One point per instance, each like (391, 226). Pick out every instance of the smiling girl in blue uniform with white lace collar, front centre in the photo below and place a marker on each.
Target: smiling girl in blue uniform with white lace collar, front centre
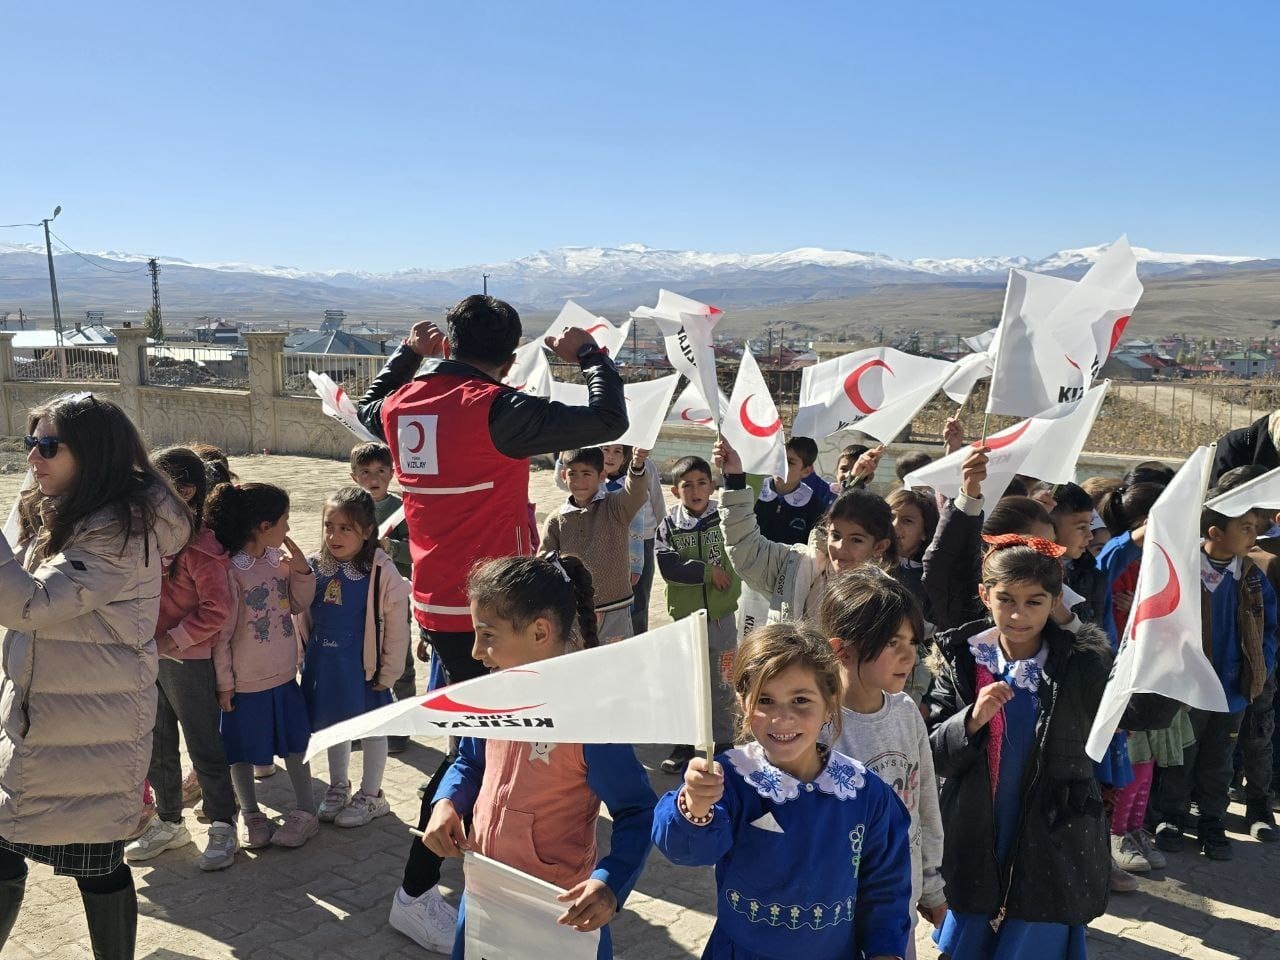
(812, 851)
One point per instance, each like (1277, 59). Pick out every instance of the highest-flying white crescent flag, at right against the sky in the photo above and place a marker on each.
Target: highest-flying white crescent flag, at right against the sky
(1055, 333)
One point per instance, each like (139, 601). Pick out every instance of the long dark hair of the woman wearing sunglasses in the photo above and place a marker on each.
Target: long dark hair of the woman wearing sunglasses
(115, 473)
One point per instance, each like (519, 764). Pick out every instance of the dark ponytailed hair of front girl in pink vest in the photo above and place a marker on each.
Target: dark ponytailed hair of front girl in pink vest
(523, 589)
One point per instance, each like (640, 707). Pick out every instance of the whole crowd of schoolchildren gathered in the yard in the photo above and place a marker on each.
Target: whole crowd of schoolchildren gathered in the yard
(904, 739)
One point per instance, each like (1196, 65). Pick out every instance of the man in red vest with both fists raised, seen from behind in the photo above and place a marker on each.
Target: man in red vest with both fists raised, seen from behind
(461, 444)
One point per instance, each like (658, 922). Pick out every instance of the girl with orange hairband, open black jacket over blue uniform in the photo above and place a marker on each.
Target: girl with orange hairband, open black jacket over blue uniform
(1026, 852)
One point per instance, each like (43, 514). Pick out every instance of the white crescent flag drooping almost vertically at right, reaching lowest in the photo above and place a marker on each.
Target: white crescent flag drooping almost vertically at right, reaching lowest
(1162, 651)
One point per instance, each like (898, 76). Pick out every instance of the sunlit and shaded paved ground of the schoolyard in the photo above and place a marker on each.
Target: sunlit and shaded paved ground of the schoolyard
(331, 898)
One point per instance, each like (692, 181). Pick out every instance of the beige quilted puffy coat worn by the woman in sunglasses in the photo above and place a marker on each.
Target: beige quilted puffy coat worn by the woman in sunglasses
(79, 700)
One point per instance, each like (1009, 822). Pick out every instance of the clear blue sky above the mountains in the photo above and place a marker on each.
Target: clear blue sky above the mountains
(391, 135)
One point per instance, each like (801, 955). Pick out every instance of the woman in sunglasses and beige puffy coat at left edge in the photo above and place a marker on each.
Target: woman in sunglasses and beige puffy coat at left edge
(80, 595)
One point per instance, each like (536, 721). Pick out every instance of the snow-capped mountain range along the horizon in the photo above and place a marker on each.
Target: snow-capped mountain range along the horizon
(604, 277)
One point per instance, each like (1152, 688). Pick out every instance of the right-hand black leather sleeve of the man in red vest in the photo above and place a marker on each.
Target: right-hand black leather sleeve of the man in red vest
(527, 427)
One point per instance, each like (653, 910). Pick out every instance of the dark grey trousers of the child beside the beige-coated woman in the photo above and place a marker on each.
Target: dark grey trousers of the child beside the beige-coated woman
(188, 694)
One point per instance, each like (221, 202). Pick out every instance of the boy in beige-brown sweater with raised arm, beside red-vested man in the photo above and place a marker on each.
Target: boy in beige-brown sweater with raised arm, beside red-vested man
(596, 525)
